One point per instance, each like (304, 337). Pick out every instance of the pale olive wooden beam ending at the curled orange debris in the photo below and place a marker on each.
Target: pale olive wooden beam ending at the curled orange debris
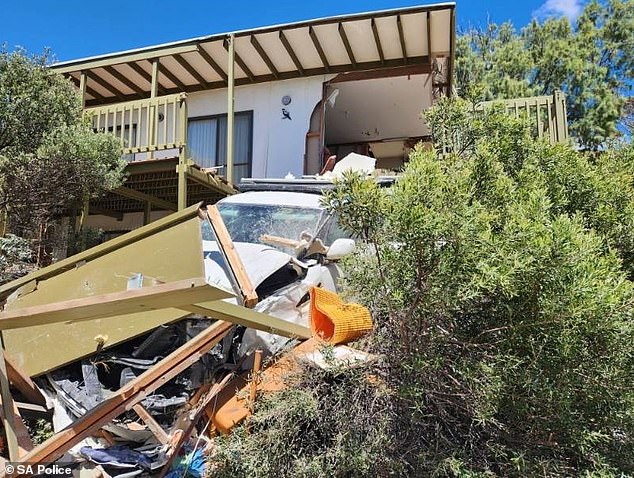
(236, 314)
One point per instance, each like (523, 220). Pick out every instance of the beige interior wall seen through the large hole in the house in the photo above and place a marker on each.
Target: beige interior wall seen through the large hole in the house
(377, 109)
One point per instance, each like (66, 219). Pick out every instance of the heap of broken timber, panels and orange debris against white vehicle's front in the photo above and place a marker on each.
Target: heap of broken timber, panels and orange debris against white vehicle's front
(141, 350)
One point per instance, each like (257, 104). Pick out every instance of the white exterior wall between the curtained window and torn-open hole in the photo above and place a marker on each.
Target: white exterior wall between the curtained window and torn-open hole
(278, 144)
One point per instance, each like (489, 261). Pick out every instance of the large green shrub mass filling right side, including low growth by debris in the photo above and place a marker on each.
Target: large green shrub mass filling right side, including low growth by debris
(498, 278)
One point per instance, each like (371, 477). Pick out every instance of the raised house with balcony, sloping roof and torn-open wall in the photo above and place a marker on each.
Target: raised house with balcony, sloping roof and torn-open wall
(290, 95)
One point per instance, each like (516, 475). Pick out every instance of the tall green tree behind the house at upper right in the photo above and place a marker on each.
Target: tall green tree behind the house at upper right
(593, 64)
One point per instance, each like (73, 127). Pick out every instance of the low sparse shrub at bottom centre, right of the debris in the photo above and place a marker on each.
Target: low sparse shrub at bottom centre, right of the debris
(308, 430)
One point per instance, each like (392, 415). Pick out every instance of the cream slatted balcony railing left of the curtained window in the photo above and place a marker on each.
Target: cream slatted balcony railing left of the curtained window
(145, 126)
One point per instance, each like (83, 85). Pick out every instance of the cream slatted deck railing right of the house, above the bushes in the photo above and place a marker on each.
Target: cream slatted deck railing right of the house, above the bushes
(546, 113)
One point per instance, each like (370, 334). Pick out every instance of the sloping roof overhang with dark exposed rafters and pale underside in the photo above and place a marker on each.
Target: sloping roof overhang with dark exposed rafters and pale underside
(369, 41)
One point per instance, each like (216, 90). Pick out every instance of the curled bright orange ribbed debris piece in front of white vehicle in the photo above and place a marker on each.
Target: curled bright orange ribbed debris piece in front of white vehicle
(335, 321)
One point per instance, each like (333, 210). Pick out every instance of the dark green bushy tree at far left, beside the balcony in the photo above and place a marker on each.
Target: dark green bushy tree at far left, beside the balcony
(51, 161)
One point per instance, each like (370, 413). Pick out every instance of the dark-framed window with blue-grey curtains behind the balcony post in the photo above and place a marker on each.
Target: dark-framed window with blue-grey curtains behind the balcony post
(207, 142)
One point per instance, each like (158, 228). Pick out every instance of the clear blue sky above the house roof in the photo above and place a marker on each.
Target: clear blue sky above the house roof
(76, 29)
